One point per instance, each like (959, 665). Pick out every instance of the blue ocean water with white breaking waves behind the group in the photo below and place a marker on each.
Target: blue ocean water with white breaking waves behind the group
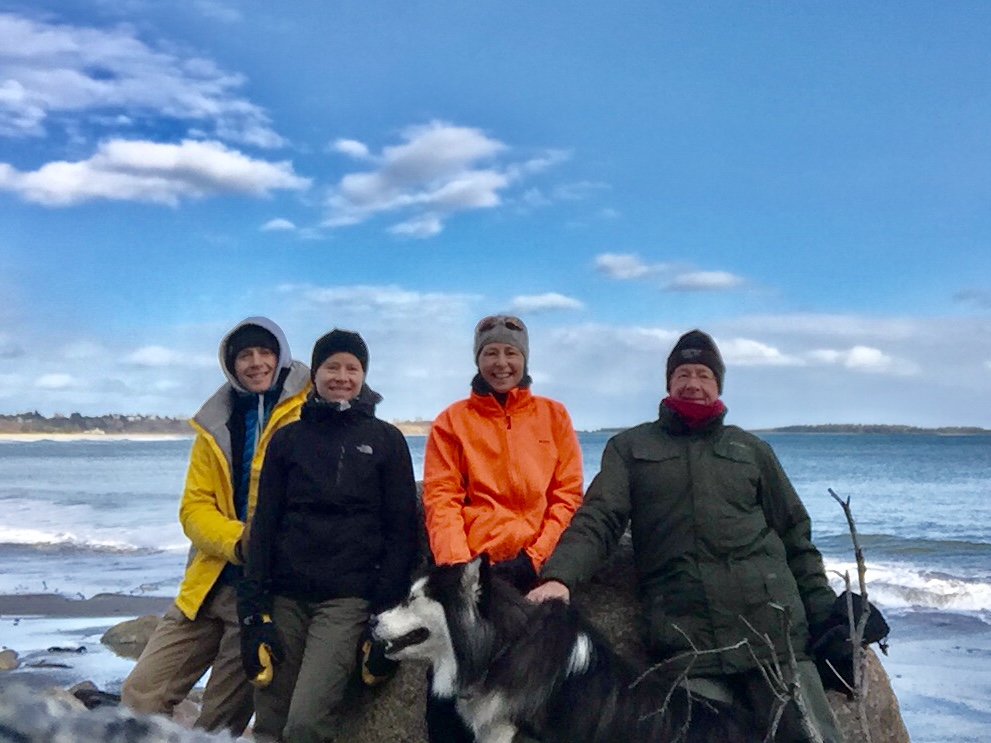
(81, 517)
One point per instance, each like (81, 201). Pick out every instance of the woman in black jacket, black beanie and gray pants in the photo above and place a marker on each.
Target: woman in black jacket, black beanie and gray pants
(333, 539)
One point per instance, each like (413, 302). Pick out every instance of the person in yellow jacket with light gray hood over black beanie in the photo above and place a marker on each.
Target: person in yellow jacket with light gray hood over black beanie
(265, 390)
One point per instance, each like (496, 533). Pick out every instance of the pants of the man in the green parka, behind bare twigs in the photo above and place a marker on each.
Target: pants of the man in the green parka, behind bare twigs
(752, 691)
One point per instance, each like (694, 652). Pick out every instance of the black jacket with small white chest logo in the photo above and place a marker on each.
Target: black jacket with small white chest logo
(336, 512)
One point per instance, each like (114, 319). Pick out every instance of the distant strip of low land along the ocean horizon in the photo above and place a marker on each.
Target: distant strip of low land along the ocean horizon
(119, 424)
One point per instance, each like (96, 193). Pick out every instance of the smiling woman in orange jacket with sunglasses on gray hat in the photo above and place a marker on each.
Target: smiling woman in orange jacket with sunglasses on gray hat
(502, 475)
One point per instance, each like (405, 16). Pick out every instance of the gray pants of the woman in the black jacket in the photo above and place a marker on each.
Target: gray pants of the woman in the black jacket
(321, 646)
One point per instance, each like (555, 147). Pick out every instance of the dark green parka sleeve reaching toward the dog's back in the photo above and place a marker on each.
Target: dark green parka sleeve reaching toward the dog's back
(597, 525)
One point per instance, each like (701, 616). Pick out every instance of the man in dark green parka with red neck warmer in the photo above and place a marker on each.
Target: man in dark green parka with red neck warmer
(721, 542)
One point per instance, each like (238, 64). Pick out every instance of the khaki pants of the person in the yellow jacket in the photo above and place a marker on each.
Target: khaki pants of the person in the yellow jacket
(178, 654)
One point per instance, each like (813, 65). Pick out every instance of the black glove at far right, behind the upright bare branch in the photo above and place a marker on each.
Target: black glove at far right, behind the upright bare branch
(831, 647)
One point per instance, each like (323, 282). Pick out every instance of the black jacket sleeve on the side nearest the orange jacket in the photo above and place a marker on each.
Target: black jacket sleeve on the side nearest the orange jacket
(399, 525)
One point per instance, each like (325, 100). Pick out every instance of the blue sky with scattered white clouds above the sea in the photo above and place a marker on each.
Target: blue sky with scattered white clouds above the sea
(809, 182)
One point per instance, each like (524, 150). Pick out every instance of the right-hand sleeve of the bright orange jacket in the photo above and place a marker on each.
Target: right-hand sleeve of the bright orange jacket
(564, 494)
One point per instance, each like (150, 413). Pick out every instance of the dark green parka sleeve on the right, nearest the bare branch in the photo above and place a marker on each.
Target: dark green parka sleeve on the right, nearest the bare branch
(786, 514)
